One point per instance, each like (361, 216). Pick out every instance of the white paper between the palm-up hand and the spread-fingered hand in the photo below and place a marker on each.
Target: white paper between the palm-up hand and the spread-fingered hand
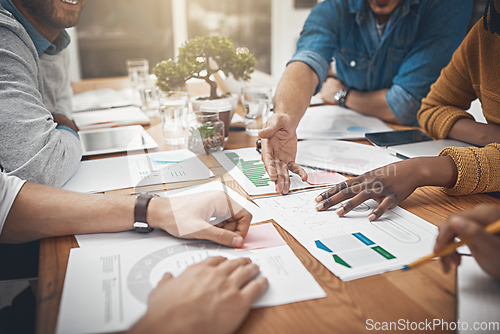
(342, 156)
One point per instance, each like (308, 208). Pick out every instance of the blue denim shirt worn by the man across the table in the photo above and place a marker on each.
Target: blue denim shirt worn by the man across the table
(419, 40)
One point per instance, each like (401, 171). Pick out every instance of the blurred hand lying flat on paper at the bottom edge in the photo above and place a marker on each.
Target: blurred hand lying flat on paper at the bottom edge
(213, 296)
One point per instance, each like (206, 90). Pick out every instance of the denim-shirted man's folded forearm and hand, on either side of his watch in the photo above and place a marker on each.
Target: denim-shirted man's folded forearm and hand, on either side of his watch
(368, 103)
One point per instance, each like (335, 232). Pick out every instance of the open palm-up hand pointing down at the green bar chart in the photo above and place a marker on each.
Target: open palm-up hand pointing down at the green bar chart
(279, 148)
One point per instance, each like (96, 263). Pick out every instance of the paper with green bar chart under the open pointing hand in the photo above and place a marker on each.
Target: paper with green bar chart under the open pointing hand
(247, 168)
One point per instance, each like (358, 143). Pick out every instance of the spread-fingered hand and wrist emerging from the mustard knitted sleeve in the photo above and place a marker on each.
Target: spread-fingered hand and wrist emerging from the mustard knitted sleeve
(389, 185)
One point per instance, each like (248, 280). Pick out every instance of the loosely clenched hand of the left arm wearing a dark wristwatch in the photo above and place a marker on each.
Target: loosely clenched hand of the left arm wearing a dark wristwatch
(190, 217)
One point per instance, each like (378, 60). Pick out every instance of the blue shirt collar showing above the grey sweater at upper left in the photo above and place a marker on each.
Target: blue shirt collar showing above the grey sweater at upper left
(41, 43)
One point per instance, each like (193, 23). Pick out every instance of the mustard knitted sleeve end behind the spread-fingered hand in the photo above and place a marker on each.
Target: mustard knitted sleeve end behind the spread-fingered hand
(478, 169)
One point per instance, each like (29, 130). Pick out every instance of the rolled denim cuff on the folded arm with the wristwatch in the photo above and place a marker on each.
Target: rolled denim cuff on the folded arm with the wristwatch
(403, 105)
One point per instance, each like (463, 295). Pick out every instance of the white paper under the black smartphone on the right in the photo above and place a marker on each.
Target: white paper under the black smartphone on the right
(425, 148)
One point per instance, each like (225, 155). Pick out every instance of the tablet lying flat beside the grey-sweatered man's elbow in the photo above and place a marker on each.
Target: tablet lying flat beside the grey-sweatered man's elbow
(112, 140)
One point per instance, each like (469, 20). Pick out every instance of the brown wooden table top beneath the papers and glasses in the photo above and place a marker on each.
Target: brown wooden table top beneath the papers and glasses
(424, 293)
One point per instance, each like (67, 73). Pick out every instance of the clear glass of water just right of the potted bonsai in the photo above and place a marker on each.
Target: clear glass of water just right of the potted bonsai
(257, 103)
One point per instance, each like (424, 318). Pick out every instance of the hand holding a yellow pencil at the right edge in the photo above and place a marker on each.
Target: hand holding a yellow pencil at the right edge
(470, 225)
